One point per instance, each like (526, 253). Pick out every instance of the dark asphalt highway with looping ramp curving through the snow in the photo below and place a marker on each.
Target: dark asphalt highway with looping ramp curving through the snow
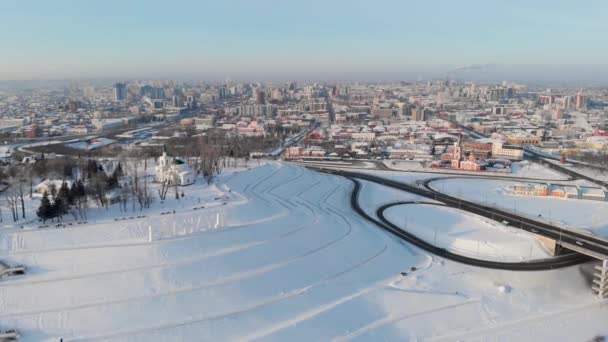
(585, 244)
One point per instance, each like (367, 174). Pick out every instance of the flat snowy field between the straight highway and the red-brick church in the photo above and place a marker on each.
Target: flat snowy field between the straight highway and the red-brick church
(583, 214)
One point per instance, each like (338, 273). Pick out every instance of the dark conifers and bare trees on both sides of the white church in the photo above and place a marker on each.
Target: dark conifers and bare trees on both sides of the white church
(207, 155)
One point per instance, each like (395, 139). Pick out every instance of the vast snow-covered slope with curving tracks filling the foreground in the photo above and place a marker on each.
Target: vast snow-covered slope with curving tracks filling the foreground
(285, 259)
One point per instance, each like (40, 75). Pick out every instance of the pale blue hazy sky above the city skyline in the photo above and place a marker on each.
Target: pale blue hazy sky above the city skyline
(242, 38)
